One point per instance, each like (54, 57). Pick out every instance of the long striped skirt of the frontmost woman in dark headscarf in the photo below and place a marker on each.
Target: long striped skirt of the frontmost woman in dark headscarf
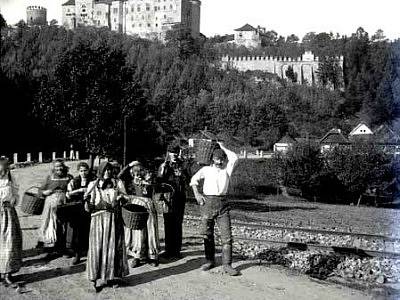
(106, 259)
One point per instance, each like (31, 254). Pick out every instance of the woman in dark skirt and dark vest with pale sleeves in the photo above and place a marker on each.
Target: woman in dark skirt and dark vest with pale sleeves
(77, 228)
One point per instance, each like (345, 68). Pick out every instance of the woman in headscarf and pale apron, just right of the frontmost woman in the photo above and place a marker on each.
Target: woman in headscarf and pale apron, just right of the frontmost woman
(141, 244)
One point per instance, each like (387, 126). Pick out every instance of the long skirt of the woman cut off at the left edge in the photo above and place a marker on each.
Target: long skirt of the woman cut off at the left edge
(10, 241)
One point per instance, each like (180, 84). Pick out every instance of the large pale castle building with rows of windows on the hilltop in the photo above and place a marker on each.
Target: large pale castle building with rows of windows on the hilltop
(145, 18)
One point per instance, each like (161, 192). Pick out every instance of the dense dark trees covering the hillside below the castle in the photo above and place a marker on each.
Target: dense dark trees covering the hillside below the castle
(80, 85)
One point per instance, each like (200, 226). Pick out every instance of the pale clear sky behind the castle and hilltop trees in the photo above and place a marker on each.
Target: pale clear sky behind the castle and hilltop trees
(283, 16)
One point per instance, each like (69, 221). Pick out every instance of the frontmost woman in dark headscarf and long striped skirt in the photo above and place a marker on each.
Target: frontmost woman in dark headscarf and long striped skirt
(106, 260)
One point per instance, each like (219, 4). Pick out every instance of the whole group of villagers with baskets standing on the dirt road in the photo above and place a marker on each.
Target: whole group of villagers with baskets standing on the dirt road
(95, 225)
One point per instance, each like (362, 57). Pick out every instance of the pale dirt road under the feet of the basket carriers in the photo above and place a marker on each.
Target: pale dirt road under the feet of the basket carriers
(180, 279)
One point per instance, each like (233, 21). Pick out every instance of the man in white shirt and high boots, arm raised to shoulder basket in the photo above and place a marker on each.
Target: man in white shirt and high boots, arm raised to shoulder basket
(214, 206)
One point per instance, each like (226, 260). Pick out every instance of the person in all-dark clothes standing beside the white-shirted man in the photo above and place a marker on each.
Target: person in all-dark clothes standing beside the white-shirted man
(174, 172)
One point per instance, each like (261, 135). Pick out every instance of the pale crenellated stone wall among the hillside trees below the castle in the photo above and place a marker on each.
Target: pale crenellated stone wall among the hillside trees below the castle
(305, 67)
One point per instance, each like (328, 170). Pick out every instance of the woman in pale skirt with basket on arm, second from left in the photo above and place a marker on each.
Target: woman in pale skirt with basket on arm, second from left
(52, 231)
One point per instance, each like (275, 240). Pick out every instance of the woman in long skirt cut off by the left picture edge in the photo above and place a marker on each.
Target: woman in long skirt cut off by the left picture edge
(10, 230)
